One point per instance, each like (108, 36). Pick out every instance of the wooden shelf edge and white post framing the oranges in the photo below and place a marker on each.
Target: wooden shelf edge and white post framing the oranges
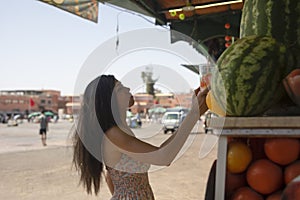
(247, 127)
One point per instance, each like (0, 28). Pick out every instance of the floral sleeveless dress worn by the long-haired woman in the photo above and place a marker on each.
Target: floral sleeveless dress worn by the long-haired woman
(130, 180)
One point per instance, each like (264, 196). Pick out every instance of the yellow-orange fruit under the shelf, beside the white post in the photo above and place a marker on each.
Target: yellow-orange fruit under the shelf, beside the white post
(239, 157)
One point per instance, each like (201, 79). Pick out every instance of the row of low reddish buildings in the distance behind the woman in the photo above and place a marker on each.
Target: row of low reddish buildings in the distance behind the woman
(27, 101)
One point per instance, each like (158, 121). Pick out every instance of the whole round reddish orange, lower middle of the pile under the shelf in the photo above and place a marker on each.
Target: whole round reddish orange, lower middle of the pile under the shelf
(264, 176)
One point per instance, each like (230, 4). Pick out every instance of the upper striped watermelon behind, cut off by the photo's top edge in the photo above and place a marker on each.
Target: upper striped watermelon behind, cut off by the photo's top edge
(276, 18)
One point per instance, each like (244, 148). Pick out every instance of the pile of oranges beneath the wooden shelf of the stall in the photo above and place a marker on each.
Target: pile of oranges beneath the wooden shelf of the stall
(261, 168)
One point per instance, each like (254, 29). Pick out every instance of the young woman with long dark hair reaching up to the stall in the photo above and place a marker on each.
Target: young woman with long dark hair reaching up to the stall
(104, 140)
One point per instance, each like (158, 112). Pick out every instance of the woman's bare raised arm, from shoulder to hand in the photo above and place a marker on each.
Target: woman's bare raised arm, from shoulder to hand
(166, 153)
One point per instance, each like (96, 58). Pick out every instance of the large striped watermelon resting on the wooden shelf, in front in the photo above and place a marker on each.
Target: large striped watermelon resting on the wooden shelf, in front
(248, 79)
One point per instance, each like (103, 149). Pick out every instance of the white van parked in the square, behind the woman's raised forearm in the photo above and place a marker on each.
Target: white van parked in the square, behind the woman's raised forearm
(171, 121)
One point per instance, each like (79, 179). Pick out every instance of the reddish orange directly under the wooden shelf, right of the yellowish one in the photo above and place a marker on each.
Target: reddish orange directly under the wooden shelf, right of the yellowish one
(282, 151)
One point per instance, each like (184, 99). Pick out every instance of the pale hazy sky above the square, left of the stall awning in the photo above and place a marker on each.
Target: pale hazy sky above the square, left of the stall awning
(42, 47)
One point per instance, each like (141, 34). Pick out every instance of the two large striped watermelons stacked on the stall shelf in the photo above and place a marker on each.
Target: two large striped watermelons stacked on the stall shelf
(248, 79)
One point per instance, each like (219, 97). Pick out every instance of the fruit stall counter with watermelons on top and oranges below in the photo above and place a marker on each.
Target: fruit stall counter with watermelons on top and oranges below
(256, 92)
